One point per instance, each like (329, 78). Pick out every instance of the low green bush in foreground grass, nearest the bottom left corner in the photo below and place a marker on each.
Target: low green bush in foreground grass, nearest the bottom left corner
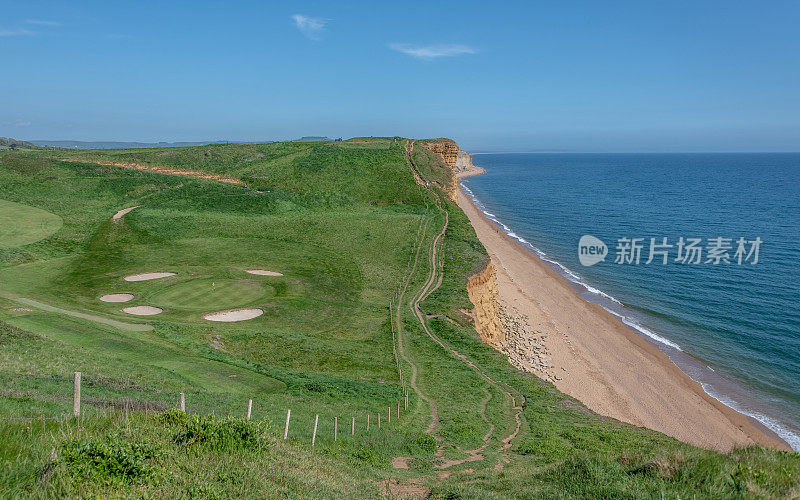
(110, 458)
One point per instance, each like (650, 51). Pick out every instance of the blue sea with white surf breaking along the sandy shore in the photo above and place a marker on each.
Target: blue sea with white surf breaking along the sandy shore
(734, 328)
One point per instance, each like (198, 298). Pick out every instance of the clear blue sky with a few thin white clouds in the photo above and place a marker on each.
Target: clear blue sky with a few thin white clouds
(513, 76)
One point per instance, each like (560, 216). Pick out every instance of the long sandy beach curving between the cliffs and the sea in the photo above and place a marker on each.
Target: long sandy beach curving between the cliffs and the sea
(588, 353)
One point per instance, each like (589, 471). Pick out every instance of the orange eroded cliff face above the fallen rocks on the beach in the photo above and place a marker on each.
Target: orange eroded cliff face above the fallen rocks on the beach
(482, 290)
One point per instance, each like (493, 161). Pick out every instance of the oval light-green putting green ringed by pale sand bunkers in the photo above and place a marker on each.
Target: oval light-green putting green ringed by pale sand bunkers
(209, 294)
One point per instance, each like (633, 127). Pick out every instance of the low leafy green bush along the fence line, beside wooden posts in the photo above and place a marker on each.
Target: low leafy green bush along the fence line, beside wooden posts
(220, 433)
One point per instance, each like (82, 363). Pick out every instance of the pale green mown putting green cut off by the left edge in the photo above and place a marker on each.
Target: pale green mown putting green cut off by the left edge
(23, 224)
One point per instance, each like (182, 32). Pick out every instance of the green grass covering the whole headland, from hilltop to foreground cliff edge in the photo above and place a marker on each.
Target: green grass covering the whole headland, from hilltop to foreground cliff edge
(340, 221)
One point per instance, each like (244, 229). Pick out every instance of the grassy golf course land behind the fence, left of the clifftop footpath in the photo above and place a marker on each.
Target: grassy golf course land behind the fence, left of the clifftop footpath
(338, 222)
